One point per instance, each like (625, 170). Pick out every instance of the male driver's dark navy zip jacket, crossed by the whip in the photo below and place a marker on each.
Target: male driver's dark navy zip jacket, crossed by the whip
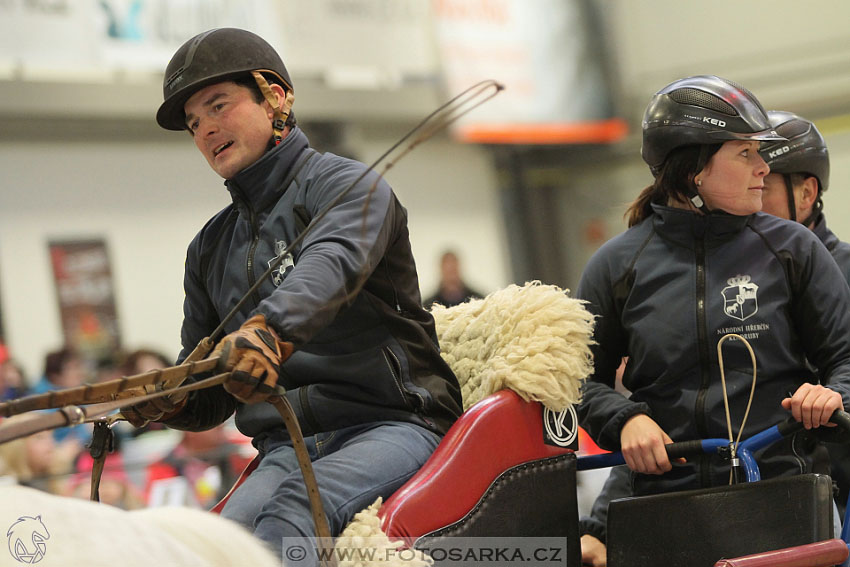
(348, 299)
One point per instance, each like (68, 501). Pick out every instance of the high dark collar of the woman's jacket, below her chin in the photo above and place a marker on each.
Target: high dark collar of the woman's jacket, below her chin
(685, 227)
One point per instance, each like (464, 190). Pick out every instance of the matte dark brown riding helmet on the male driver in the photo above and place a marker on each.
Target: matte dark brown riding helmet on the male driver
(211, 57)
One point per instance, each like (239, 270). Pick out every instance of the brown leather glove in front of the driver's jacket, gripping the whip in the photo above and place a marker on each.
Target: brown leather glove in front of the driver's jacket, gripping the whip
(254, 354)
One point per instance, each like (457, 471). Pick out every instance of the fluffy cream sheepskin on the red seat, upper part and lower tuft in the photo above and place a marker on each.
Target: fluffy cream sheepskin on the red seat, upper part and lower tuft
(533, 339)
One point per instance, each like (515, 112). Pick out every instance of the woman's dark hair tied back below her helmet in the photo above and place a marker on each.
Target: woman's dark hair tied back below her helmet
(674, 181)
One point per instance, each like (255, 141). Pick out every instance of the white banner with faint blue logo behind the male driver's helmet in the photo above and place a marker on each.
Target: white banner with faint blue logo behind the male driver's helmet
(77, 39)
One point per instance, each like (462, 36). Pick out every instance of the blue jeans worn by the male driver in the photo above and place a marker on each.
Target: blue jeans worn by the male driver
(353, 467)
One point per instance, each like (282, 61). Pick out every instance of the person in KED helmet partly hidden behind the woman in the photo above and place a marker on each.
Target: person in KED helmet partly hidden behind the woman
(793, 190)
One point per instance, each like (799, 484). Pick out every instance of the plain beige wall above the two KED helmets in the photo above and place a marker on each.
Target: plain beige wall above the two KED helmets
(789, 53)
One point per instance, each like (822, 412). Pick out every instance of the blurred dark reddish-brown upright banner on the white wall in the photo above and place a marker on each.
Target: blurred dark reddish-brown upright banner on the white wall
(83, 277)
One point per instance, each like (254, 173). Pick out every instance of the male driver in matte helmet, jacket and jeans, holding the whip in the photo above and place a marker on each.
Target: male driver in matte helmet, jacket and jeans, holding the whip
(339, 324)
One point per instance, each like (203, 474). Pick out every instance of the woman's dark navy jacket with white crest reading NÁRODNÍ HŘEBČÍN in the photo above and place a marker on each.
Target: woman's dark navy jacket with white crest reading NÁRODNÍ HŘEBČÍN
(665, 292)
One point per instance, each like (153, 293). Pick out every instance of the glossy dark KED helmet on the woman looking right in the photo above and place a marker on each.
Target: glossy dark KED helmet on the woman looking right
(703, 109)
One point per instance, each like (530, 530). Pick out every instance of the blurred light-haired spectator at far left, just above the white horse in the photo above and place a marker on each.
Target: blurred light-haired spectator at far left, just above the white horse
(38, 461)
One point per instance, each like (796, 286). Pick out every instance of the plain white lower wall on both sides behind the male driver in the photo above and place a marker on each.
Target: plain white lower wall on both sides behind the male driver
(148, 198)
